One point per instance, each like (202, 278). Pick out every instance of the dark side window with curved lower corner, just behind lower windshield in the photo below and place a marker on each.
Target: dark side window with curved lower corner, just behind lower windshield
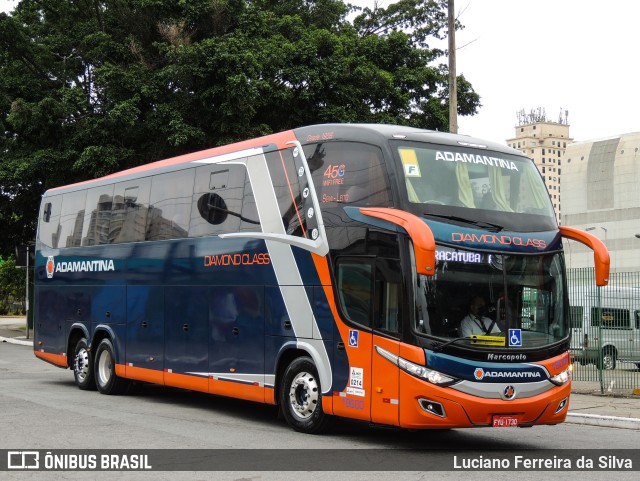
(355, 290)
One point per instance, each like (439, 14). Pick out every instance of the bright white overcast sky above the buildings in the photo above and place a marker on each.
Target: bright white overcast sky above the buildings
(575, 55)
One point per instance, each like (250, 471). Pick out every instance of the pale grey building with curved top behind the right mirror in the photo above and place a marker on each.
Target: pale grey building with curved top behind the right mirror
(600, 180)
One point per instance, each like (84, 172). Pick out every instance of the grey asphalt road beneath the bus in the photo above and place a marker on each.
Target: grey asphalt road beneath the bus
(40, 408)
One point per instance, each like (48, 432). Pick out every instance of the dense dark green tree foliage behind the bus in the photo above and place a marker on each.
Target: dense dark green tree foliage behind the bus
(88, 87)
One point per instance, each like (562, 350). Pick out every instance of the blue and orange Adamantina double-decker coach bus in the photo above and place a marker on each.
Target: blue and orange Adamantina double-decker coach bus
(327, 269)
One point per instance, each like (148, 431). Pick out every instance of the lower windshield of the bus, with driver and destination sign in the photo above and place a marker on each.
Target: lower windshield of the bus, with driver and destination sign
(501, 292)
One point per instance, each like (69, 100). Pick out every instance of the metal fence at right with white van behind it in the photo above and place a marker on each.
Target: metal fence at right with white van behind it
(605, 325)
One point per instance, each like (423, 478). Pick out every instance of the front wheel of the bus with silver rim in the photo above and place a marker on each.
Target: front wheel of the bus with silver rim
(301, 397)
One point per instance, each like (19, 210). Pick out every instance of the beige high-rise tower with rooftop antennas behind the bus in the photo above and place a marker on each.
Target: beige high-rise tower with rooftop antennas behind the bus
(545, 142)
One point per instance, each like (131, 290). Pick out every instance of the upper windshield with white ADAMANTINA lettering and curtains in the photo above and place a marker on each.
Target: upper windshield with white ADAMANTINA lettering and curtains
(502, 186)
